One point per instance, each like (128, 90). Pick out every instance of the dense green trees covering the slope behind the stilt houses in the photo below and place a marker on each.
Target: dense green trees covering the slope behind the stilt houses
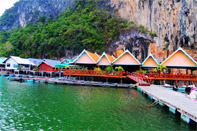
(85, 25)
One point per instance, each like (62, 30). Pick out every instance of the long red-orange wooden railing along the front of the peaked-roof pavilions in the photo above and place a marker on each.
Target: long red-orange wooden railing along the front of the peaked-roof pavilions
(147, 77)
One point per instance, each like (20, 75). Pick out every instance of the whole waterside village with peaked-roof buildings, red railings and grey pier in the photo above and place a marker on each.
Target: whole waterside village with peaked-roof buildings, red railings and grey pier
(161, 82)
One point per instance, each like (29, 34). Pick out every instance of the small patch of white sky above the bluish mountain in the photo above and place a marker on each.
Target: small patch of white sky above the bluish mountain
(6, 4)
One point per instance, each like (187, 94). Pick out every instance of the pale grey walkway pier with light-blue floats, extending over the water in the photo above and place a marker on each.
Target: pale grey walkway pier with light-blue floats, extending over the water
(176, 101)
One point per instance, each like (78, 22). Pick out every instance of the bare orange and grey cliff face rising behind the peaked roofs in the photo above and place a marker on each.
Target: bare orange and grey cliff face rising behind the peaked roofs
(174, 21)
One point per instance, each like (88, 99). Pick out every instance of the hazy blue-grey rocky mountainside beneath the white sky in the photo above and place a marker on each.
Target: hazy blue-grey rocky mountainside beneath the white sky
(26, 11)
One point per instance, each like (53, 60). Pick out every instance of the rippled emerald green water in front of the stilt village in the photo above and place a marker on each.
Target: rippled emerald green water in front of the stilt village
(26, 106)
